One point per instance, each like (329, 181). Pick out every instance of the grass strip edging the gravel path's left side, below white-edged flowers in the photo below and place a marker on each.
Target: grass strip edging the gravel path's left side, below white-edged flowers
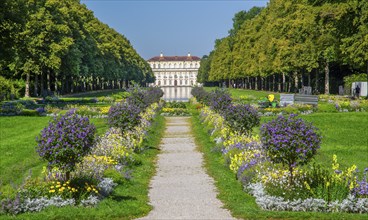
(129, 200)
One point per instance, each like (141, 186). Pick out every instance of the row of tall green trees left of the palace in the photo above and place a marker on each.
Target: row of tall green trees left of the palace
(59, 46)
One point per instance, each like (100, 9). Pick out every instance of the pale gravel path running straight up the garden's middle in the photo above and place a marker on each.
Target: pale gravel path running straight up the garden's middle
(181, 188)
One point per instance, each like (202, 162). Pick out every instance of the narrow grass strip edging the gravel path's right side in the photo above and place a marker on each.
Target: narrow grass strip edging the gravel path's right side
(231, 192)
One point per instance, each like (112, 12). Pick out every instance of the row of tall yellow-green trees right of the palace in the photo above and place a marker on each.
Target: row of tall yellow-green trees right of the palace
(290, 44)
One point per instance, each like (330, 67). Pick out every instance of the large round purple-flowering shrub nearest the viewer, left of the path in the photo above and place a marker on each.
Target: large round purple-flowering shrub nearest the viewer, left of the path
(65, 141)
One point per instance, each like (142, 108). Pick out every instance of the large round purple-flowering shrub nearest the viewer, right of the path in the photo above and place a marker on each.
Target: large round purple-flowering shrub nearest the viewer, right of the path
(290, 141)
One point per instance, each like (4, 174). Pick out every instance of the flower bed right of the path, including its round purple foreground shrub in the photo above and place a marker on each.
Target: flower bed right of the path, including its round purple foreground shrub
(275, 168)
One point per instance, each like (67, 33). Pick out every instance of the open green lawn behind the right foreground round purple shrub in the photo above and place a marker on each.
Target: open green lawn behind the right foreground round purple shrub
(343, 134)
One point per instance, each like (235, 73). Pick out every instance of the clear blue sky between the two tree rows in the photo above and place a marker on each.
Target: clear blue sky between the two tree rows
(173, 27)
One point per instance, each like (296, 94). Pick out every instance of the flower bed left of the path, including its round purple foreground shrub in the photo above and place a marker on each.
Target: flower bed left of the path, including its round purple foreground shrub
(81, 173)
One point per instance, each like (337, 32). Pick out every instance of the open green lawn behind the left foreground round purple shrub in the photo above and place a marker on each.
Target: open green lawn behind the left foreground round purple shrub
(17, 148)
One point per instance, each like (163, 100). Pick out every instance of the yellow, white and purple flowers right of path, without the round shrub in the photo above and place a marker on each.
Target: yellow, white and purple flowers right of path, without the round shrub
(318, 188)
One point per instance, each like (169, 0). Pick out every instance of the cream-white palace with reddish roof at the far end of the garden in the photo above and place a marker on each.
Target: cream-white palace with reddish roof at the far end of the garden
(175, 70)
